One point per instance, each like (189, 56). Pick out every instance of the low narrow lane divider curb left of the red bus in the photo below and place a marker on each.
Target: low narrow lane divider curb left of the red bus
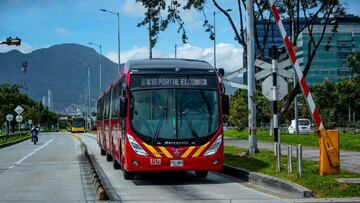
(102, 184)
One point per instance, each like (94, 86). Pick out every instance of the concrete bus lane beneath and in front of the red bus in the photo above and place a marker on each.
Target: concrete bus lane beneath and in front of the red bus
(177, 187)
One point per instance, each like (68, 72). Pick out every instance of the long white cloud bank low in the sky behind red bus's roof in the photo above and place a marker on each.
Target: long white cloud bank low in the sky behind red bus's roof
(228, 56)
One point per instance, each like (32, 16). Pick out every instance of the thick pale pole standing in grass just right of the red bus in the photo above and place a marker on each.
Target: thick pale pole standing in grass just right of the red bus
(251, 76)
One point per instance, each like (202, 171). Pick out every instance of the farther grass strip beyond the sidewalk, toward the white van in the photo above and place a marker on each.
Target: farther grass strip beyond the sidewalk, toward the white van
(348, 141)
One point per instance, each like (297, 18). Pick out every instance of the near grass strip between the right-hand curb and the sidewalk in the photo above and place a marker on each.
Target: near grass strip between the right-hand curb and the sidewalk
(322, 186)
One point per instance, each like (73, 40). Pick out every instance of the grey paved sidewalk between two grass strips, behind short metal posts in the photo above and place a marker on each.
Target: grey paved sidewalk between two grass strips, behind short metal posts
(350, 161)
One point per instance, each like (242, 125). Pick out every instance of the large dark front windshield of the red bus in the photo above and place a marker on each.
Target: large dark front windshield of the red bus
(175, 114)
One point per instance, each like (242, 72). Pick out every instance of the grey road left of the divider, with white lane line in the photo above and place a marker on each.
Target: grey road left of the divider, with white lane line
(51, 171)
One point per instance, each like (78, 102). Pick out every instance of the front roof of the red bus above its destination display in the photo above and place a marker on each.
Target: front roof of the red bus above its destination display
(168, 63)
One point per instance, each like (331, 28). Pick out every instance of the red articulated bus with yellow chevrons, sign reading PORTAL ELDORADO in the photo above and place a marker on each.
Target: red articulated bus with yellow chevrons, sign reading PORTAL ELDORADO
(163, 115)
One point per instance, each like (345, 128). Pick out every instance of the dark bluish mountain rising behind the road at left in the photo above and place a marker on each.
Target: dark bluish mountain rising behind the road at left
(59, 70)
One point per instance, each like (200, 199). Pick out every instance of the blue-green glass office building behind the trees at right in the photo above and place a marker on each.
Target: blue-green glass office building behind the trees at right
(330, 61)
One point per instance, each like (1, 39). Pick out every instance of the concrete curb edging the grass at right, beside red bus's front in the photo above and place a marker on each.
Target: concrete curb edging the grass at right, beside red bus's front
(280, 185)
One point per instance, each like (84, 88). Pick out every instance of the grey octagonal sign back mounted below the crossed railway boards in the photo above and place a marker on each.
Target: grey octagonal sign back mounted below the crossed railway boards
(267, 88)
